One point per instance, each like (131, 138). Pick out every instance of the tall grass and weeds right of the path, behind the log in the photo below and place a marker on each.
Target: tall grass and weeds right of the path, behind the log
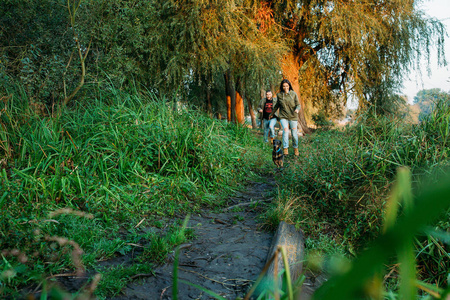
(338, 189)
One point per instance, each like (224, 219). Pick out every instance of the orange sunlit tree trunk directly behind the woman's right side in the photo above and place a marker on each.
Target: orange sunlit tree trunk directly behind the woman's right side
(290, 67)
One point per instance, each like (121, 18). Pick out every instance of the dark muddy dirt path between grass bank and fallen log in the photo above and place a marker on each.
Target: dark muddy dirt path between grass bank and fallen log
(227, 255)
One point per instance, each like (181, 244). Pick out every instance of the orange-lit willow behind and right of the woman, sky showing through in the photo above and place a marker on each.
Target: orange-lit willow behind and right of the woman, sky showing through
(352, 47)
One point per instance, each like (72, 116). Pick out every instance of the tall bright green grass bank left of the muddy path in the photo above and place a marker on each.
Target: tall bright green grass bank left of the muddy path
(119, 159)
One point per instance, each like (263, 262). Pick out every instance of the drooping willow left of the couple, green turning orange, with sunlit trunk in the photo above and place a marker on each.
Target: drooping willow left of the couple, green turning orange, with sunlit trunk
(197, 38)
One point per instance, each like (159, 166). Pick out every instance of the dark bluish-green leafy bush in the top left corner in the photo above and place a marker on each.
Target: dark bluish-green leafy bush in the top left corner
(34, 48)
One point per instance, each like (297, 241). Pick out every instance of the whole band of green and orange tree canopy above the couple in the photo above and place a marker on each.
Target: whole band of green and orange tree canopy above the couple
(329, 50)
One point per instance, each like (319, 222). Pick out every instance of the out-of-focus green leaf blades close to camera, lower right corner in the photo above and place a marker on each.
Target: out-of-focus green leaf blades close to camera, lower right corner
(362, 280)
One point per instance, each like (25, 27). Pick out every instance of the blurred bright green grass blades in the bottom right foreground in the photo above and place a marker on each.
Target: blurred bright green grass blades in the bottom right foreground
(365, 275)
